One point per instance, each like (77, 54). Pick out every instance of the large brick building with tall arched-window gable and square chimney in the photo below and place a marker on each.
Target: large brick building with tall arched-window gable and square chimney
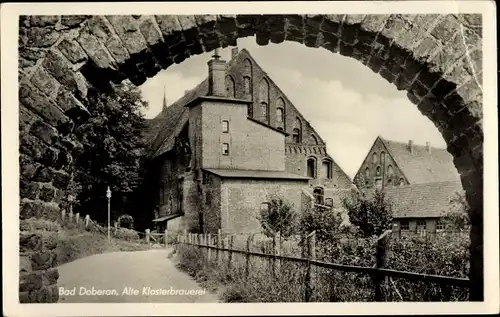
(226, 146)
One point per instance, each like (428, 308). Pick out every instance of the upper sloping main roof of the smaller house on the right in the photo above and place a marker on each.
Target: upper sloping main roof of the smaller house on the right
(421, 165)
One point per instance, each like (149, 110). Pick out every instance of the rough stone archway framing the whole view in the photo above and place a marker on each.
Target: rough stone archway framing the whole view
(437, 59)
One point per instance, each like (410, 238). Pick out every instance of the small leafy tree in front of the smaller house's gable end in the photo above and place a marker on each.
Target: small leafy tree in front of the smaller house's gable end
(371, 215)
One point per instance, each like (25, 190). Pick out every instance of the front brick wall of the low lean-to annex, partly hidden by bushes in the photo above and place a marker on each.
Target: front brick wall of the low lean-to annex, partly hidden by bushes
(242, 199)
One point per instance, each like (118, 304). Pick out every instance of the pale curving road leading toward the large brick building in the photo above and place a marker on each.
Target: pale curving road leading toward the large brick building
(136, 277)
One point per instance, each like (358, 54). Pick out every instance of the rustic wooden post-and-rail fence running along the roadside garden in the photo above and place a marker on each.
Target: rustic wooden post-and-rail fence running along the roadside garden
(378, 273)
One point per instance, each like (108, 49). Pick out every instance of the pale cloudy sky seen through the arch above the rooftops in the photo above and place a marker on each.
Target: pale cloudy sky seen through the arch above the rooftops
(345, 102)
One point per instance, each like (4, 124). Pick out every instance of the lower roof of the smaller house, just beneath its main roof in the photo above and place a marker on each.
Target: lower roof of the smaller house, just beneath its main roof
(422, 200)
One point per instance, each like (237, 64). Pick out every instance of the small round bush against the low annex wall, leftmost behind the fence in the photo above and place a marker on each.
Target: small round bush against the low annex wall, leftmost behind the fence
(278, 215)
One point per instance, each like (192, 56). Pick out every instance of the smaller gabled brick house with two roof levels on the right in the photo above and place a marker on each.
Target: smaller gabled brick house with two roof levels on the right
(419, 180)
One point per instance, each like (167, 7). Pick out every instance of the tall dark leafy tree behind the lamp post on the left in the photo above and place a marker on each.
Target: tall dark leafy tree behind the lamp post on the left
(113, 148)
